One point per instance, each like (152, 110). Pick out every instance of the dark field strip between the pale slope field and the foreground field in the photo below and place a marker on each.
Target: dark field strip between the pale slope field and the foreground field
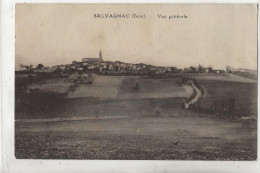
(51, 106)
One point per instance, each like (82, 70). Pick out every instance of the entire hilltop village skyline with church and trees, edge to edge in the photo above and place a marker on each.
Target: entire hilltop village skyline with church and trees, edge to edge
(99, 66)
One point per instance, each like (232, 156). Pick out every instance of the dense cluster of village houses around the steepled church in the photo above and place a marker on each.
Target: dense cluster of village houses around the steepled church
(98, 65)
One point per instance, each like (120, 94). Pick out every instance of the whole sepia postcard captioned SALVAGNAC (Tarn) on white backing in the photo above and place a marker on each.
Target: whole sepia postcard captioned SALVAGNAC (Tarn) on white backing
(136, 81)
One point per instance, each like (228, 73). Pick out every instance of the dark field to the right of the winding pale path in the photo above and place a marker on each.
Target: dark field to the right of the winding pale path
(219, 92)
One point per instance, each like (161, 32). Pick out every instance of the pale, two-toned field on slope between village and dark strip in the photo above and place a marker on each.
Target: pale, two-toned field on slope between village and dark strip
(122, 87)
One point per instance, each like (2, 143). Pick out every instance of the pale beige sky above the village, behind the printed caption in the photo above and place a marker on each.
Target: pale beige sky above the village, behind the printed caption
(217, 35)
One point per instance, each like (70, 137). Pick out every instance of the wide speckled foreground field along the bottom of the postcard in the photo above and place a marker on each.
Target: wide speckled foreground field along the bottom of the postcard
(178, 138)
